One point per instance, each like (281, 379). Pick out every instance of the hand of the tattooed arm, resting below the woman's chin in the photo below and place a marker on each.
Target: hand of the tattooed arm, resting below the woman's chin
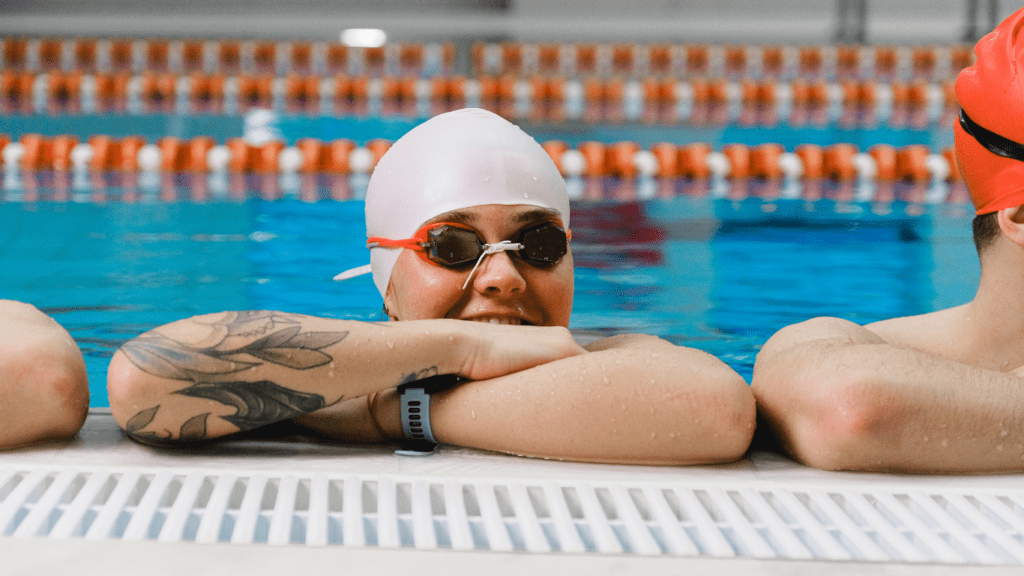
(494, 350)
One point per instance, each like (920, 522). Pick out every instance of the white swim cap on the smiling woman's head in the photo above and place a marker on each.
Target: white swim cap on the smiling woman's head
(457, 160)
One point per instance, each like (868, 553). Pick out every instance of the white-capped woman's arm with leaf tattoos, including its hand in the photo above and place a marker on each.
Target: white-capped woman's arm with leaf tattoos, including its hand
(214, 376)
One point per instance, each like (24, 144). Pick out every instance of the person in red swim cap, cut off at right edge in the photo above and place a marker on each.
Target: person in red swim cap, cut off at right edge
(943, 392)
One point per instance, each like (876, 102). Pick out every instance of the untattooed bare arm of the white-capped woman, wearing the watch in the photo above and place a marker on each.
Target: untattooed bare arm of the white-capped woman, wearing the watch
(634, 399)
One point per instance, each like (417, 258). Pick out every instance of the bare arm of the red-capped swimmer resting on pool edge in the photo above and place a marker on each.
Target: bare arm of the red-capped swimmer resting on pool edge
(840, 398)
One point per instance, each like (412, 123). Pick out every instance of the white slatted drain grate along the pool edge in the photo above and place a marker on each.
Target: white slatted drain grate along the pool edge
(544, 517)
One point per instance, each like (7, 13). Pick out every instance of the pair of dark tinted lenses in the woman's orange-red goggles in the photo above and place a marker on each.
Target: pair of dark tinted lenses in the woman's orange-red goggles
(544, 245)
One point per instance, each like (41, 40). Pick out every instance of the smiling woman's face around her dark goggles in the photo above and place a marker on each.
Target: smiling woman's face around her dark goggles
(503, 290)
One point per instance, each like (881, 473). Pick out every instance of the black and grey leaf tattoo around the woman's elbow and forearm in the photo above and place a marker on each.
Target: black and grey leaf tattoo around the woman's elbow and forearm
(279, 341)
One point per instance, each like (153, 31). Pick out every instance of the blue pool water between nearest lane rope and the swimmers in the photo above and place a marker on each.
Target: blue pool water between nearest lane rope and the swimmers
(717, 275)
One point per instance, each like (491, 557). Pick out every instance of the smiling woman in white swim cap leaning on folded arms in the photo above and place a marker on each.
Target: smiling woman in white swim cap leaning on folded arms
(471, 249)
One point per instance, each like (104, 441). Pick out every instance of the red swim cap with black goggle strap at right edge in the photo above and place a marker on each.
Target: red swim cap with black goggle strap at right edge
(992, 94)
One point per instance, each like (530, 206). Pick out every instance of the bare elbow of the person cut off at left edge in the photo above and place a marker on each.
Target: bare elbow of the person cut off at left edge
(45, 390)
